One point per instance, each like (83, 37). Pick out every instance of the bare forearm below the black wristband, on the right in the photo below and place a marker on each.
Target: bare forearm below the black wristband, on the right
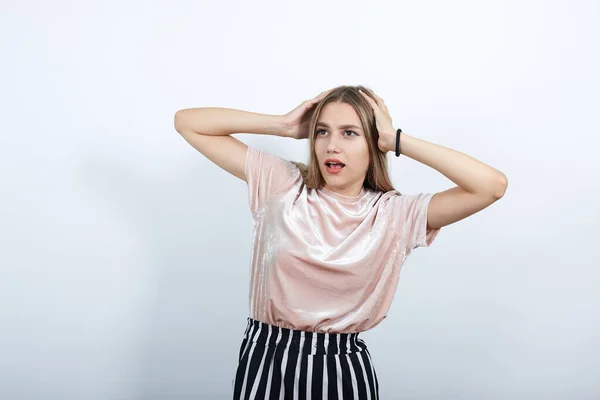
(465, 171)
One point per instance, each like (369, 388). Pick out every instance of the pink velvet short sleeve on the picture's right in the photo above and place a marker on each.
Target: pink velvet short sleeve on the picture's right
(412, 212)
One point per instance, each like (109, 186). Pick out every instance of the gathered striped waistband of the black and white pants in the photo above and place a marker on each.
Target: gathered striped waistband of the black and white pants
(304, 342)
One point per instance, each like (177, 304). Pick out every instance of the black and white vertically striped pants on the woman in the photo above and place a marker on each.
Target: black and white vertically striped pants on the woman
(286, 364)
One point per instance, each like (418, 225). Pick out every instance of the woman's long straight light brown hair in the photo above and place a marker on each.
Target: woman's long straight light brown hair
(377, 177)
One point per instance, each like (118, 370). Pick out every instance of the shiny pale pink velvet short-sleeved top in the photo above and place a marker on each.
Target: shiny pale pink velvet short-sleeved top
(321, 261)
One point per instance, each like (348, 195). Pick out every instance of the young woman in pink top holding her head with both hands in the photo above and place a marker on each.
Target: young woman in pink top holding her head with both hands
(329, 237)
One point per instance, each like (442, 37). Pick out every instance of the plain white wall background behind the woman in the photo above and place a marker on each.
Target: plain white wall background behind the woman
(125, 253)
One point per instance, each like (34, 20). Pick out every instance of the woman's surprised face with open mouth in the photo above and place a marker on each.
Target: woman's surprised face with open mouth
(339, 135)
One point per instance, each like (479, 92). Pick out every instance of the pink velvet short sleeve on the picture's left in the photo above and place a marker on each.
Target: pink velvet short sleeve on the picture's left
(267, 176)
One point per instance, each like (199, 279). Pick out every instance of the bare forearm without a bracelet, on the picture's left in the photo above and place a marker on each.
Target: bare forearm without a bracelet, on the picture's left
(217, 121)
